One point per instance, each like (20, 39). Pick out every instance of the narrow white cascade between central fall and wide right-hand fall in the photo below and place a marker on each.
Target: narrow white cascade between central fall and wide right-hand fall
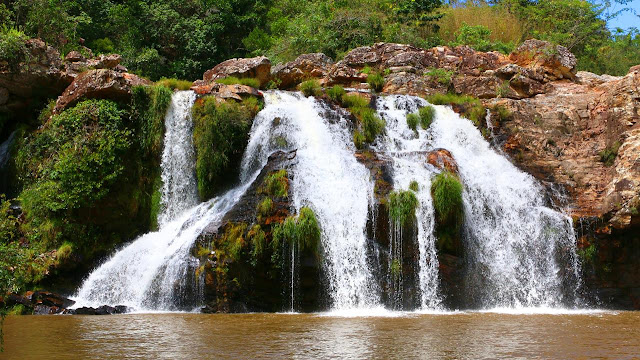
(406, 148)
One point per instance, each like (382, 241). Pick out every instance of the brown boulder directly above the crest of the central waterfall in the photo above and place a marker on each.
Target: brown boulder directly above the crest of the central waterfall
(316, 65)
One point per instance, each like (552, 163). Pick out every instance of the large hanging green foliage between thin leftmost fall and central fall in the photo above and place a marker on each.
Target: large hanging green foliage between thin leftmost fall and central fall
(220, 134)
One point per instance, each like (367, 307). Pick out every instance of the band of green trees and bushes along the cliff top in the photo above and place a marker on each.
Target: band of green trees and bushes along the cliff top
(185, 38)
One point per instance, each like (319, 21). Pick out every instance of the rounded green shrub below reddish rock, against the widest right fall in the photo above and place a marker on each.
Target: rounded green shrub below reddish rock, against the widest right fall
(446, 191)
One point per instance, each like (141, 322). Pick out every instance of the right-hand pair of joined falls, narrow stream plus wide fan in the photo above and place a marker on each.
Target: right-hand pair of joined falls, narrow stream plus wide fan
(520, 252)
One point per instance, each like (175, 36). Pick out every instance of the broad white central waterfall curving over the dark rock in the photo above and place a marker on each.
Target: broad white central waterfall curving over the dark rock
(329, 180)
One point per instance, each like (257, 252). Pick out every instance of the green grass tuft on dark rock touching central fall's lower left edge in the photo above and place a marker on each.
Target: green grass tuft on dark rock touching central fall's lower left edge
(302, 231)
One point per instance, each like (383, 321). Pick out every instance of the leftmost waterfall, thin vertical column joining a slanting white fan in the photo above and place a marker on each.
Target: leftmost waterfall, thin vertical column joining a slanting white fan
(155, 272)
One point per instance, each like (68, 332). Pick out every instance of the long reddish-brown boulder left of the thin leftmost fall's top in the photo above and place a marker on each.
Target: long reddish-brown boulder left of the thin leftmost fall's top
(99, 84)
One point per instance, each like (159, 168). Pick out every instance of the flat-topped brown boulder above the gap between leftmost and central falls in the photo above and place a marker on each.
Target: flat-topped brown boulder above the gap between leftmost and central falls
(257, 67)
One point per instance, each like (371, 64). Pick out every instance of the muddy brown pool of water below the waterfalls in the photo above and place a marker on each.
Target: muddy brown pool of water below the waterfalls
(282, 336)
